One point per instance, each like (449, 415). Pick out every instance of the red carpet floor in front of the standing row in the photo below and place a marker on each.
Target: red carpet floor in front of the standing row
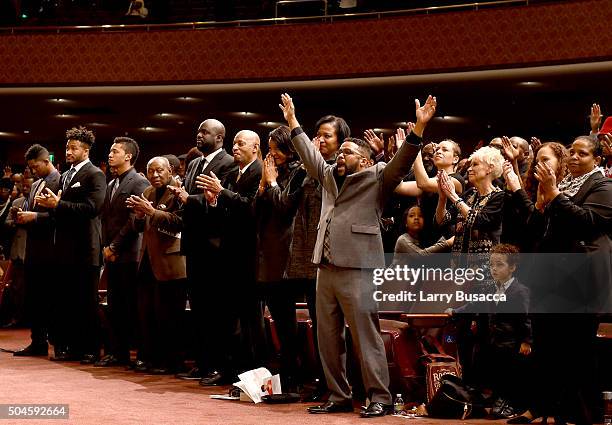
(115, 396)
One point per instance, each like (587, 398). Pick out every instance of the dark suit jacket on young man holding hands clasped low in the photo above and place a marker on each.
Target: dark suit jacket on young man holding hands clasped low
(116, 230)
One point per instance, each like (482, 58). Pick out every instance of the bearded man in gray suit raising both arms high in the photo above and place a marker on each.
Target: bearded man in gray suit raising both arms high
(348, 246)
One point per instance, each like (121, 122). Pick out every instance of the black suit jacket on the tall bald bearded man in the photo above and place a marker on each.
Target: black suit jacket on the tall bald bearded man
(203, 226)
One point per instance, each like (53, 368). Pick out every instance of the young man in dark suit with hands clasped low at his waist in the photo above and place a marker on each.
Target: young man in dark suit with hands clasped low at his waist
(121, 249)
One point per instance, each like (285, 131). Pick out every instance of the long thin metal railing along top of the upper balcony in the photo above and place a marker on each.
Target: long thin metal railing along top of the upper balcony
(263, 21)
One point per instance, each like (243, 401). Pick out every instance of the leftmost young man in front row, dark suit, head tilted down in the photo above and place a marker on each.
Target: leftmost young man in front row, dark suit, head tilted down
(39, 250)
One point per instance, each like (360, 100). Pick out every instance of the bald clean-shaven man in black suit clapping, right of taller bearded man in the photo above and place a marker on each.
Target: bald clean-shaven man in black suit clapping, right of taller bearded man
(233, 200)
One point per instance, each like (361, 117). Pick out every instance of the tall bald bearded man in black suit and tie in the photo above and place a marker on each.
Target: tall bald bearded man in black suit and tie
(200, 243)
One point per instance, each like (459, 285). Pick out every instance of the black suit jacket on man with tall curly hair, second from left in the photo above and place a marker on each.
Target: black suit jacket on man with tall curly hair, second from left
(77, 218)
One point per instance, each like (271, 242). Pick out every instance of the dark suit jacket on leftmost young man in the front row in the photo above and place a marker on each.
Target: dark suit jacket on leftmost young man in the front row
(39, 245)
